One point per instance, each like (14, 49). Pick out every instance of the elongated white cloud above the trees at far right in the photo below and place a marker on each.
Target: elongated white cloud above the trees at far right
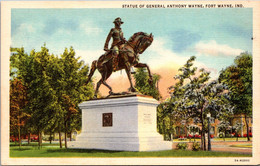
(212, 48)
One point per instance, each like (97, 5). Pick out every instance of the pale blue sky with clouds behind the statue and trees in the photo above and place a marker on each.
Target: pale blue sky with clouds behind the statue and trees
(214, 36)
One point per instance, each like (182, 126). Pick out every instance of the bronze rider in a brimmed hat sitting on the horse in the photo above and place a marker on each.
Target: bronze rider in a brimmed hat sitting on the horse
(118, 39)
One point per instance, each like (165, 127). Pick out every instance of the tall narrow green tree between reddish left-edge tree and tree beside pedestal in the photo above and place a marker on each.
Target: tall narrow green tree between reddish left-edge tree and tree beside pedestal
(43, 99)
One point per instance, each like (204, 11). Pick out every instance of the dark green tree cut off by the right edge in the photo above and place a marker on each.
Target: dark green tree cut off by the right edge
(238, 77)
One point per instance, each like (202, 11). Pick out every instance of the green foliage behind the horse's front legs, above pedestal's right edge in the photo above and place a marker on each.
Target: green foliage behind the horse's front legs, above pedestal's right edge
(142, 85)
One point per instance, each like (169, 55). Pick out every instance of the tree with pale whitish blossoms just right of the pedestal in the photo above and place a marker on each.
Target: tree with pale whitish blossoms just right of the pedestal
(193, 96)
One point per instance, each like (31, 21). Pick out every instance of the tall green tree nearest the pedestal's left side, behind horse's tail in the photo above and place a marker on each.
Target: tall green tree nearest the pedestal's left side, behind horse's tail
(73, 90)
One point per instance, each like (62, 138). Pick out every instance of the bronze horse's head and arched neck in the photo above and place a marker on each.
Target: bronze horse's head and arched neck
(141, 41)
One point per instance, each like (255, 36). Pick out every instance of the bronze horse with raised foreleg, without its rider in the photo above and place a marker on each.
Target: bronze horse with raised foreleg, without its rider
(128, 57)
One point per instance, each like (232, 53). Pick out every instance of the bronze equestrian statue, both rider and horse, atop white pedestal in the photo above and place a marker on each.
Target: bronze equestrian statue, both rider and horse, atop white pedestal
(122, 55)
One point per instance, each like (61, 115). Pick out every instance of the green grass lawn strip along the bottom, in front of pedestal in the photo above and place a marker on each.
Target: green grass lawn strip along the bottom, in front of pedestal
(48, 150)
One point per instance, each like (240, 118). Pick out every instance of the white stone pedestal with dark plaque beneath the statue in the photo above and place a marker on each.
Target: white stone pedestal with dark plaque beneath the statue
(125, 124)
